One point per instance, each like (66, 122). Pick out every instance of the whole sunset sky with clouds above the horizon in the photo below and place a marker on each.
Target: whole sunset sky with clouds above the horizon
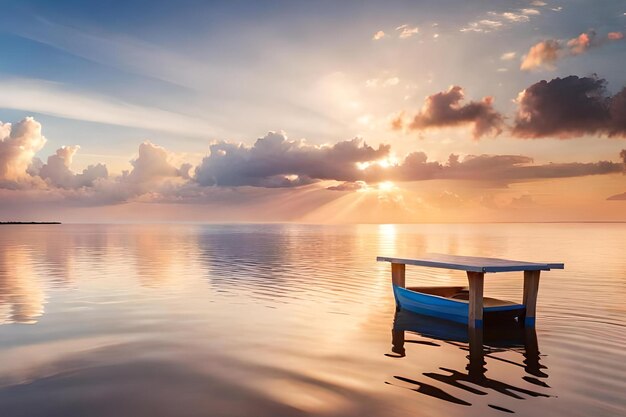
(313, 111)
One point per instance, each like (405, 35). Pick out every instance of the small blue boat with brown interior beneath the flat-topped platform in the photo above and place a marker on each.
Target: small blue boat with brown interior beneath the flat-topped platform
(452, 303)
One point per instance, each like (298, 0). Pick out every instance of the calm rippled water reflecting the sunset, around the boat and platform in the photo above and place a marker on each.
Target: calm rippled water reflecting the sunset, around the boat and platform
(291, 320)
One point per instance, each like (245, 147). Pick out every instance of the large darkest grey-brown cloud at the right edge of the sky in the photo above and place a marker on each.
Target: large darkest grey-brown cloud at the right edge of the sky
(569, 107)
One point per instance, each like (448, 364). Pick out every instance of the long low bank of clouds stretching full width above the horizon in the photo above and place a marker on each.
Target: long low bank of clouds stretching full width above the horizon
(274, 161)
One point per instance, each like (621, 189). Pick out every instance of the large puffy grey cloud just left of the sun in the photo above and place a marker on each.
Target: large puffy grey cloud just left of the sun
(275, 161)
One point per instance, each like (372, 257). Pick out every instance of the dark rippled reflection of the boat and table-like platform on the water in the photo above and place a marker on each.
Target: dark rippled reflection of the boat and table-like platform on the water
(480, 344)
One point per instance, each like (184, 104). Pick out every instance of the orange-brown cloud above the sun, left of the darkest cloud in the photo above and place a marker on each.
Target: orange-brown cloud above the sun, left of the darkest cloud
(444, 109)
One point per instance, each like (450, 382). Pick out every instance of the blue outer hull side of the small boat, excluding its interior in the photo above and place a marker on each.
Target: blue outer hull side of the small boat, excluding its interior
(453, 310)
